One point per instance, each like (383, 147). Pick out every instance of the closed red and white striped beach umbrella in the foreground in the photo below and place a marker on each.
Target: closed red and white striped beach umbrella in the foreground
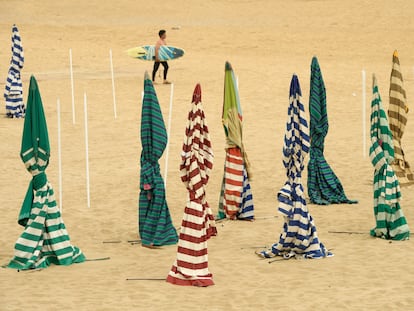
(191, 265)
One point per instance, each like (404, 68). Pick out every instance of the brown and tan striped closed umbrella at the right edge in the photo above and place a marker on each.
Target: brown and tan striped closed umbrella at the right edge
(397, 114)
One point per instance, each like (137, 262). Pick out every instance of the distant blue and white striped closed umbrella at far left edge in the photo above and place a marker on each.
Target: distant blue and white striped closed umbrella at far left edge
(13, 92)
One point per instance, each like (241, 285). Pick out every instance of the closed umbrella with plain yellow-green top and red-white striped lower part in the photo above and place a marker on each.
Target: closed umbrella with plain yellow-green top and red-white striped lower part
(236, 200)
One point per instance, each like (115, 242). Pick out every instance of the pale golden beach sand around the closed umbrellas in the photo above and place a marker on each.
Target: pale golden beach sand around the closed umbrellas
(266, 42)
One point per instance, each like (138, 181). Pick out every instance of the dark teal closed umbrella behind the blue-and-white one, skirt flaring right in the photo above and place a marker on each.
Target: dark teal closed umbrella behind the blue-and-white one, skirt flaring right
(324, 186)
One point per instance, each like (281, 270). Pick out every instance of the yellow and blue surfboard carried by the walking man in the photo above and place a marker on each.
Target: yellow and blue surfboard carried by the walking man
(147, 52)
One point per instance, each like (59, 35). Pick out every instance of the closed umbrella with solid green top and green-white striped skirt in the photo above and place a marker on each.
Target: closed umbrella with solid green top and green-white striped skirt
(44, 240)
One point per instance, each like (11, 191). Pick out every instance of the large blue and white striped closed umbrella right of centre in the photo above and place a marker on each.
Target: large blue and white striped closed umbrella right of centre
(299, 236)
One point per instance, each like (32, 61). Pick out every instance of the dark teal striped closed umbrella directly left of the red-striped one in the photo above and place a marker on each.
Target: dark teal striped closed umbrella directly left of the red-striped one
(155, 224)
